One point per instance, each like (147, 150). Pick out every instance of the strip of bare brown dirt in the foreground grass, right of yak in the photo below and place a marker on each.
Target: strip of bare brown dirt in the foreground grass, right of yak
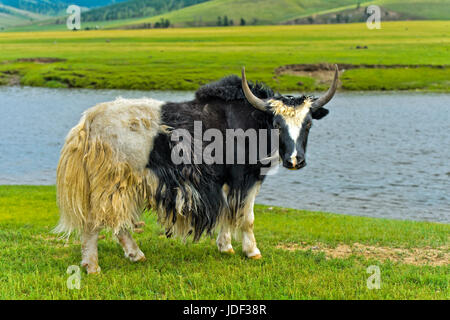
(415, 256)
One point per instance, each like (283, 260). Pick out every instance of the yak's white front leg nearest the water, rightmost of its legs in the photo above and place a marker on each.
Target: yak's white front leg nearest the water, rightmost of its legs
(248, 238)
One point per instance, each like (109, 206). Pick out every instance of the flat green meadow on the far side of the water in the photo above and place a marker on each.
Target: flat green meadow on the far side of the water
(183, 59)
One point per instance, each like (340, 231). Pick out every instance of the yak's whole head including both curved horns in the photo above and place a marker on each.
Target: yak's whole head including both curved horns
(292, 116)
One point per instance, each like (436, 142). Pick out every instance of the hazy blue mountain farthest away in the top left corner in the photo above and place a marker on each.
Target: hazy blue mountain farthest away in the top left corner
(54, 7)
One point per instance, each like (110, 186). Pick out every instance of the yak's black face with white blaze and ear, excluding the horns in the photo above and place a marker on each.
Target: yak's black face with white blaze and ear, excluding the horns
(293, 118)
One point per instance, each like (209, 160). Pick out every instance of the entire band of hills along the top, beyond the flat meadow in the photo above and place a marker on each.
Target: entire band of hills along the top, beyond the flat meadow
(197, 13)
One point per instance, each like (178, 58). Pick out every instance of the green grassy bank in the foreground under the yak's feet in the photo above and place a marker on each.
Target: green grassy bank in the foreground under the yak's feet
(303, 258)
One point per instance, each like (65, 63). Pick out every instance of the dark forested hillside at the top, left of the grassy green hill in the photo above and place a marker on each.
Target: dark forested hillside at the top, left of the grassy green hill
(136, 9)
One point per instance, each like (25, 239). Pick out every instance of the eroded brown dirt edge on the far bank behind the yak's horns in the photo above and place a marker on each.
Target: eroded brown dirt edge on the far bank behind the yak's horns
(324, 72)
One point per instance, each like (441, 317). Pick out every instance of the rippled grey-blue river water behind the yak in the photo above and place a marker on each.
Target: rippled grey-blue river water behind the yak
(376, 154)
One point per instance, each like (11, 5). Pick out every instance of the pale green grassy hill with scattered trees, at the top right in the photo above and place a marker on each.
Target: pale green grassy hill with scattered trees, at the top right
(289, 11)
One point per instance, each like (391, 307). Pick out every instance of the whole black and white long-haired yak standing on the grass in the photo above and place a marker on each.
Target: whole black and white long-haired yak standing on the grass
(116, 163)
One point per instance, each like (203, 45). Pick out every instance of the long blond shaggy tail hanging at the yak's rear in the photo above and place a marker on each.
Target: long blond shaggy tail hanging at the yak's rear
(72, 181)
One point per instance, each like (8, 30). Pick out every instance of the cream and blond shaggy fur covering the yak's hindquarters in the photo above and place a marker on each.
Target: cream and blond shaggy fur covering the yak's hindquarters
(101, 176)
